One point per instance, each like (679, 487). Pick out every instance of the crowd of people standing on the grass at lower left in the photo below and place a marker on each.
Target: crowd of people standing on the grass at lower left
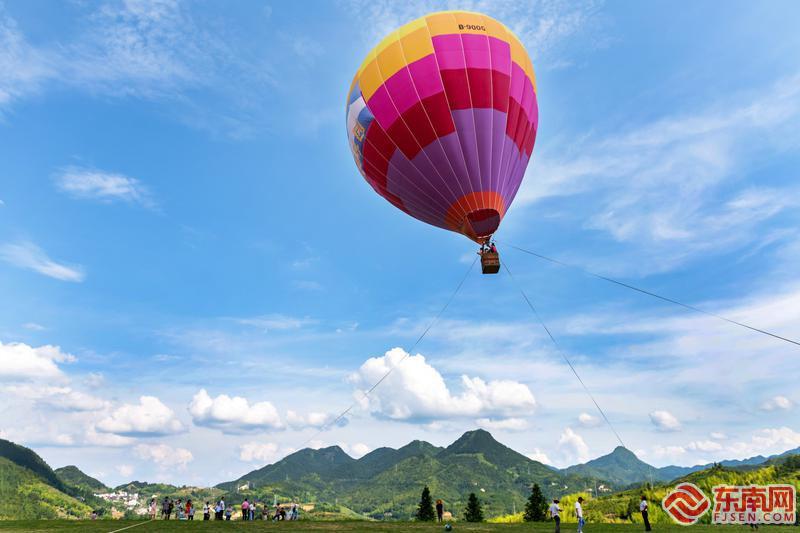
(250, 510)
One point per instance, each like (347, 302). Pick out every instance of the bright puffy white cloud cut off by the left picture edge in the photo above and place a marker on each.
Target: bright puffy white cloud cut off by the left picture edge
(19, 361)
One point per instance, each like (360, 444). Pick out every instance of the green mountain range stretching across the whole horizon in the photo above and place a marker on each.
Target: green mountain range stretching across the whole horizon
(384, 482)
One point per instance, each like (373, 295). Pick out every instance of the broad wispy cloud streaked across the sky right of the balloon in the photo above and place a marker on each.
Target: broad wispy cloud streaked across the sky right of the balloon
(664, 188)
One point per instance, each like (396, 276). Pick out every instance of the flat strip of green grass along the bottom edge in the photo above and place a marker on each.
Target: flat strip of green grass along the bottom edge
(107, 526)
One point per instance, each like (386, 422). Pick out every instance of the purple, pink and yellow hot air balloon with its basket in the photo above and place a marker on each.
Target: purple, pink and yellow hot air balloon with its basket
(442, 118)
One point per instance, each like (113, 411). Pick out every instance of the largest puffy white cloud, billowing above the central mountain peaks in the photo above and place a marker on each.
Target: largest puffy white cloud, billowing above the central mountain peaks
(415, 391)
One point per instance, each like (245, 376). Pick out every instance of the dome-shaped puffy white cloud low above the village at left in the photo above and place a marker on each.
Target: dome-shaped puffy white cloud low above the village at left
(148, 418)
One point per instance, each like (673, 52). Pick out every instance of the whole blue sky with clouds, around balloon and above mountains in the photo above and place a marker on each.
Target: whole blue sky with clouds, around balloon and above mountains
(195, 278)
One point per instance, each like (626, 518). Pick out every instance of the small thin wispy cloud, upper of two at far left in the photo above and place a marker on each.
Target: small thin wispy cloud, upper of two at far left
(104, 186)
